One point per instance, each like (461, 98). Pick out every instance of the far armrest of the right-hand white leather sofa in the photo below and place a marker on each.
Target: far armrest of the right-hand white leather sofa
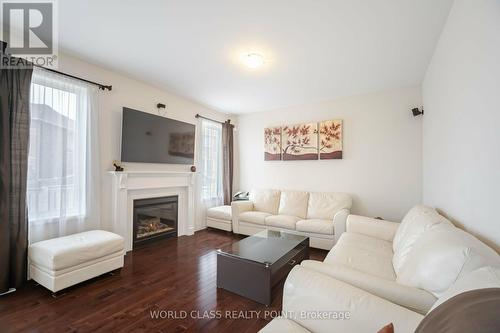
(380, 229)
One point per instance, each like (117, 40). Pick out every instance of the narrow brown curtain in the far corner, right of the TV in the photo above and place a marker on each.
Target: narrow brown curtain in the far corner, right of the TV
(227, 161)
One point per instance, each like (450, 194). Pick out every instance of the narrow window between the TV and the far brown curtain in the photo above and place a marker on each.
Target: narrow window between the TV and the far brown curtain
(211, 160)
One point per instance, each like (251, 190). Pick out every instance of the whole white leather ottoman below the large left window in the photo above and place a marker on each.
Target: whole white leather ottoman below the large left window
(61, 262)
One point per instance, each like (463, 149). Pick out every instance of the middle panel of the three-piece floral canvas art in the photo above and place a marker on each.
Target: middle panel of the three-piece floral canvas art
(300, 142)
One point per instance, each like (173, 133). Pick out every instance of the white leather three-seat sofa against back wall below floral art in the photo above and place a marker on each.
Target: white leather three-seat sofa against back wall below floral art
(320, 216)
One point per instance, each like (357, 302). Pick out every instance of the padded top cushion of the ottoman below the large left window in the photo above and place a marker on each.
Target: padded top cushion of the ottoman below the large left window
(68, 251)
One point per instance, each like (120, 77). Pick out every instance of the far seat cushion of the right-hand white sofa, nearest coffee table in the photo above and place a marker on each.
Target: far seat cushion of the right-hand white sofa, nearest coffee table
(363, 253)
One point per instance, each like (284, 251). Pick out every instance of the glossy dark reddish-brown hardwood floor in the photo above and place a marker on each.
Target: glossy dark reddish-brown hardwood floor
(176, 275)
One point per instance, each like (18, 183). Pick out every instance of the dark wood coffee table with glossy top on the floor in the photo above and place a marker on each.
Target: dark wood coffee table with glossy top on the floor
(254, 265)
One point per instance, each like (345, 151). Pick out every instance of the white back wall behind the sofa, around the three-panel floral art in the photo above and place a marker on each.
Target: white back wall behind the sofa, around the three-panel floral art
(382, 152)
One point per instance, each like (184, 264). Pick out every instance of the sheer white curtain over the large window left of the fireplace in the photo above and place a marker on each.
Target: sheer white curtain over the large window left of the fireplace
(63, 162)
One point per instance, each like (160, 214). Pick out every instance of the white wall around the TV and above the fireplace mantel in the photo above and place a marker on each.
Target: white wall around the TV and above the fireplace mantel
(136, 95)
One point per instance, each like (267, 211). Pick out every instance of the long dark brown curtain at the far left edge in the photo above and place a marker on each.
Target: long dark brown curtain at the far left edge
(14, 144)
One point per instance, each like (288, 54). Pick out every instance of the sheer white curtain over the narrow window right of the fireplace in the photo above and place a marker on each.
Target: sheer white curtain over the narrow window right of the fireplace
(209, 167)
